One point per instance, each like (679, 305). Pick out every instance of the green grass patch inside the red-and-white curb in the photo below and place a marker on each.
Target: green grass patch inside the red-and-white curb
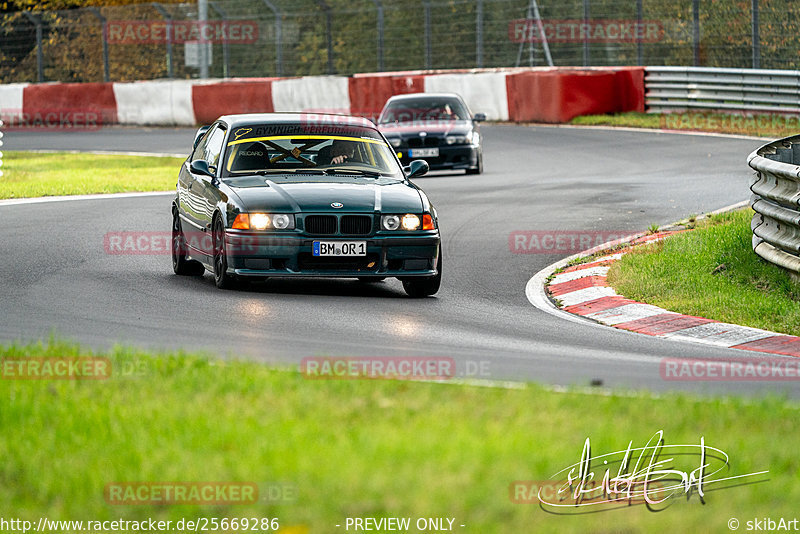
(712, 272)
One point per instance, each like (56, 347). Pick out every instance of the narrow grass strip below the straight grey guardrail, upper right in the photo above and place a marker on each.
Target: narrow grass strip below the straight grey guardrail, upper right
(757, 125)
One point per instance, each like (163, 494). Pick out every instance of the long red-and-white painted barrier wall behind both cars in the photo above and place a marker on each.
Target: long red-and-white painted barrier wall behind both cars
(537, 94)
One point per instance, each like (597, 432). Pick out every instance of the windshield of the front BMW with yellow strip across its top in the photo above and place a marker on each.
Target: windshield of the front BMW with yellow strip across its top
(309, 149)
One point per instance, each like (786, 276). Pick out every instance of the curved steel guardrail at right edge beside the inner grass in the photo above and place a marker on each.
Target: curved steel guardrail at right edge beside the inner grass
(776, 200)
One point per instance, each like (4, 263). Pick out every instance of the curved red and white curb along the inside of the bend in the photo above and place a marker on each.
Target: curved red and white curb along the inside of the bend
(583, 291)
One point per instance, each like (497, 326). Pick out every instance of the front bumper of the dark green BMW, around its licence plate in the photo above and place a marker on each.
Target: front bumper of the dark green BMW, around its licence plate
(258, 255)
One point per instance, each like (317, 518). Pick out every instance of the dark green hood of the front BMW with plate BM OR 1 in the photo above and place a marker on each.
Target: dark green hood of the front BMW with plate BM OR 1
(355, 195)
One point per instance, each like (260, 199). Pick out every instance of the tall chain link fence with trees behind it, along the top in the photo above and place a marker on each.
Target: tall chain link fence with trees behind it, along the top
(263, 38)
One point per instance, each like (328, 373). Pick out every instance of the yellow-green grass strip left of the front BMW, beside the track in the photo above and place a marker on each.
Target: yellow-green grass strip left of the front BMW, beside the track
(29, 174)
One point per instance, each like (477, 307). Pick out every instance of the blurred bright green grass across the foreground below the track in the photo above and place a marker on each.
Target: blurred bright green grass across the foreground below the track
(361, 448)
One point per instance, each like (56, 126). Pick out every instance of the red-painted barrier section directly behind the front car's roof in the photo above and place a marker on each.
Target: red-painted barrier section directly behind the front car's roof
(213, 99)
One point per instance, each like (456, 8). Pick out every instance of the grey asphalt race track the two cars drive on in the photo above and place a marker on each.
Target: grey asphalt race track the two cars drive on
(57, 277)
